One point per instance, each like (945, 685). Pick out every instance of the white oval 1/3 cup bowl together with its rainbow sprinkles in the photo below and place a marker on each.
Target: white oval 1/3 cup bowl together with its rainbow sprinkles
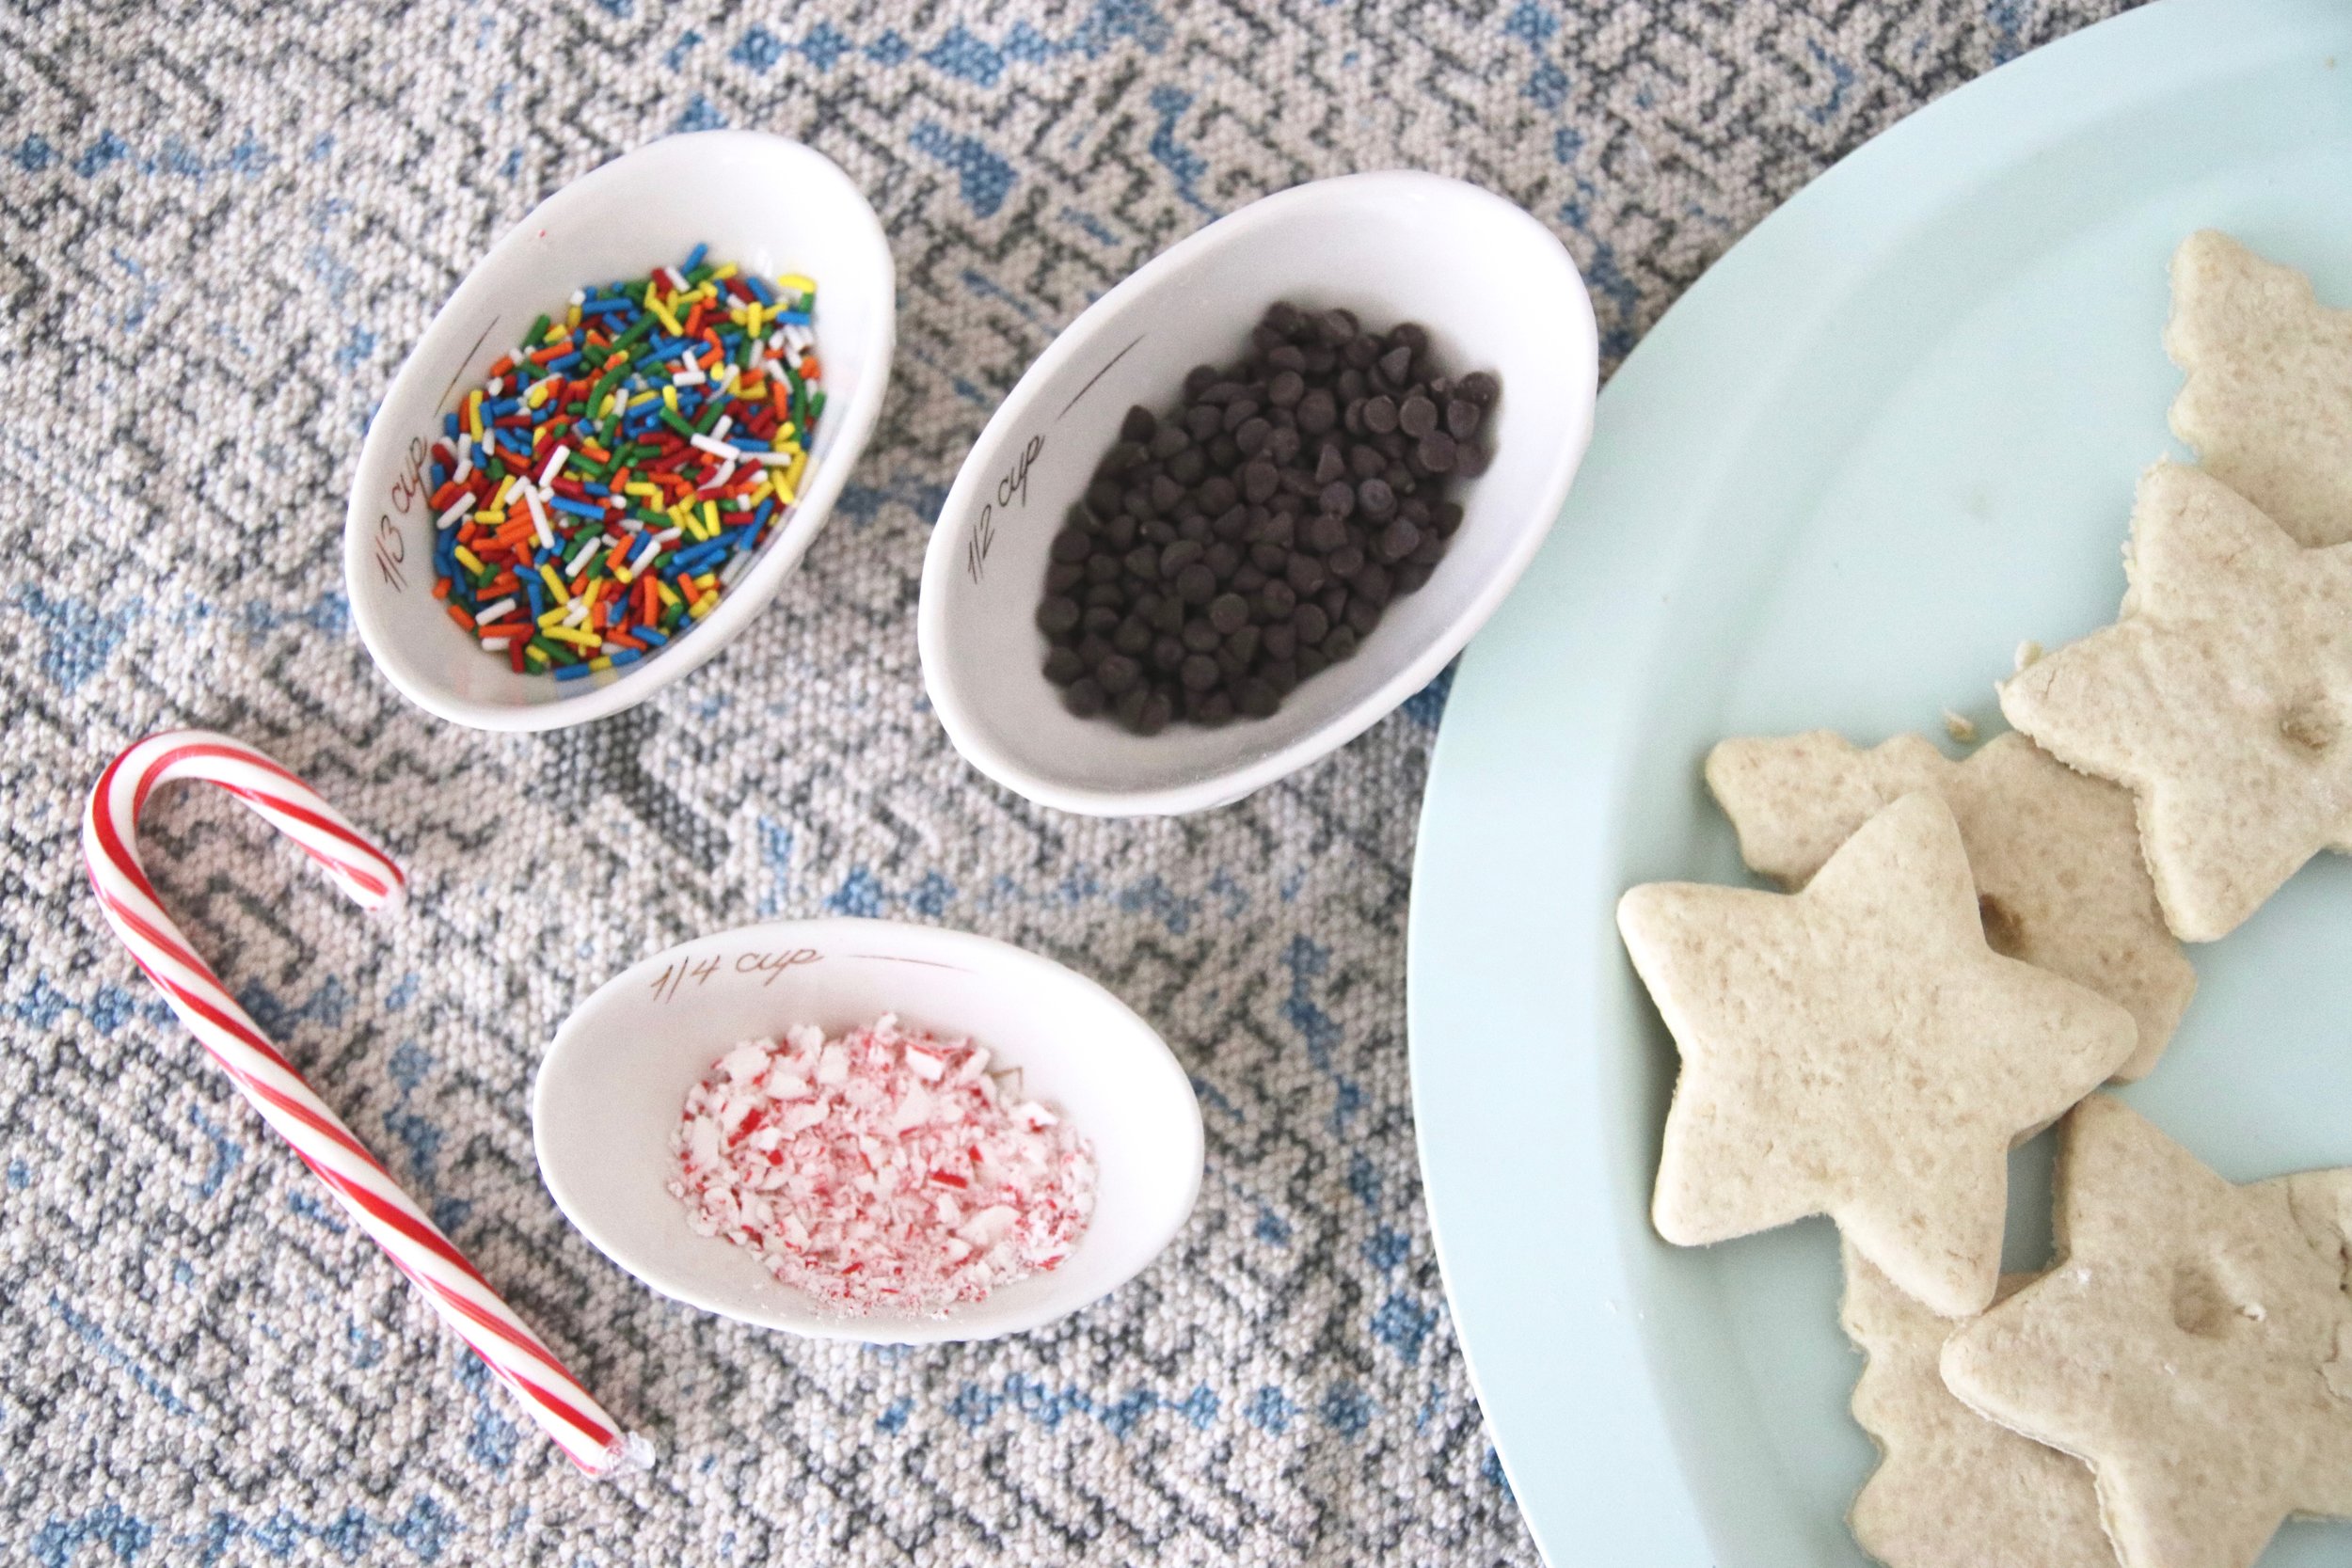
(622, 431)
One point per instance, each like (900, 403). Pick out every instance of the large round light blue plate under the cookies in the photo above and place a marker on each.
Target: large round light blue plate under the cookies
(1885, 441)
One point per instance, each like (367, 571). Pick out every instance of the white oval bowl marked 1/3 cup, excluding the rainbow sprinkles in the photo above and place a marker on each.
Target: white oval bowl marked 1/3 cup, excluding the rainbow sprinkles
(761, 201)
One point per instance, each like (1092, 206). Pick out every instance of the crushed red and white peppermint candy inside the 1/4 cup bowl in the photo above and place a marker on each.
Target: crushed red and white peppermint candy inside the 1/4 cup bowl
(881, 1170)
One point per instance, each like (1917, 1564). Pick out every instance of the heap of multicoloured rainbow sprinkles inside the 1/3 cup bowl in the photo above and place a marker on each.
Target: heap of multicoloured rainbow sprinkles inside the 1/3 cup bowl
(617, 474)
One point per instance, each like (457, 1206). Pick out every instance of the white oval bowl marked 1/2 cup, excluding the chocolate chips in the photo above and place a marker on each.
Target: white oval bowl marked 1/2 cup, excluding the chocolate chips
(1497, 293)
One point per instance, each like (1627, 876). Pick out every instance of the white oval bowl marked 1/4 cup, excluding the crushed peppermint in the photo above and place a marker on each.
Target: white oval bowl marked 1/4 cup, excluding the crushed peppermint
(615, 1083)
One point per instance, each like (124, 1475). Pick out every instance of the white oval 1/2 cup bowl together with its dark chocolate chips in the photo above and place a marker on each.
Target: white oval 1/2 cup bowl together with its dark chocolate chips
(1257, 495)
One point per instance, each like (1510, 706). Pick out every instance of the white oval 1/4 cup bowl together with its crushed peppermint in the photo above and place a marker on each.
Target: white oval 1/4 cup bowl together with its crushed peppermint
(862, 1130)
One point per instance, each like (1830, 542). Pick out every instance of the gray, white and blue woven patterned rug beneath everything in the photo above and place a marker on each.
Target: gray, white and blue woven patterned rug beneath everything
(220, 232)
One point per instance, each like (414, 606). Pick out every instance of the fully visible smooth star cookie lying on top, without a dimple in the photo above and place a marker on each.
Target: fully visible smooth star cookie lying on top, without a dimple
(1857, 1050)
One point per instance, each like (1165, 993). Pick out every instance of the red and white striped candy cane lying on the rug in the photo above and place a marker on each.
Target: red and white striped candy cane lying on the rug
(319, 1137)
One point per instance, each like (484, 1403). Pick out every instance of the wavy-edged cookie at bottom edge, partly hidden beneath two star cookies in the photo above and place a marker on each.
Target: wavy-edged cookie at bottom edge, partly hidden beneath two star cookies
(1953, 1489)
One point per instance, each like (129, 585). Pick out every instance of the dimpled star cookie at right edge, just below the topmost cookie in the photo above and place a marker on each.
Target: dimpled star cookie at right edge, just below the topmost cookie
(2221, 699)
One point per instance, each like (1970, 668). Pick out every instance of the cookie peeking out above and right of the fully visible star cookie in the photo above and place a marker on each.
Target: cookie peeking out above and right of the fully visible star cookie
(2057, 855)
